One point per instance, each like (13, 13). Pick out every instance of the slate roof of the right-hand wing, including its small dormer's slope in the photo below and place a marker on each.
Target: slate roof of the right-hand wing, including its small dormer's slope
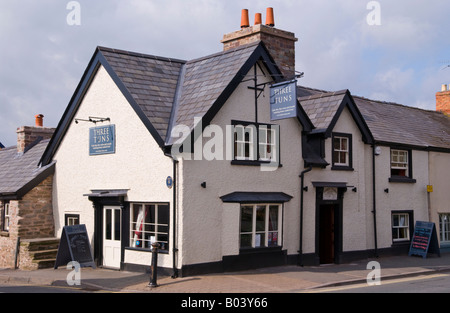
(389, 123)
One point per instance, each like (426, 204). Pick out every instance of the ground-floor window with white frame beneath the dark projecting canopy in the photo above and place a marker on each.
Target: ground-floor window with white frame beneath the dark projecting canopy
(260, 225)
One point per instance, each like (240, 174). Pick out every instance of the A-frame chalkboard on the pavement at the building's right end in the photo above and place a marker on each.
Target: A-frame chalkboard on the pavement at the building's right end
(424, 240)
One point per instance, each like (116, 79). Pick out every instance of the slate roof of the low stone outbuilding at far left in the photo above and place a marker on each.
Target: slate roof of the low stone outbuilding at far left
(19, 172)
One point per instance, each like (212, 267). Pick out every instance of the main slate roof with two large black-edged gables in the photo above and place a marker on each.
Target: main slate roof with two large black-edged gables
(166, 92)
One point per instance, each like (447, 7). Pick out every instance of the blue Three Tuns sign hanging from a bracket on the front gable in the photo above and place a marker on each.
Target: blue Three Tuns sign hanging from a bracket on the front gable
(283, 100)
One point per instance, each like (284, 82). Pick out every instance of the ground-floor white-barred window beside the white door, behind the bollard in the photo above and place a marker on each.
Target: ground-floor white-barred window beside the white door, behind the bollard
(149, 223)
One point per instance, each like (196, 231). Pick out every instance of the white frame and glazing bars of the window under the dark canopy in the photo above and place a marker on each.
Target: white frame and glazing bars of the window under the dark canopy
(255, 243)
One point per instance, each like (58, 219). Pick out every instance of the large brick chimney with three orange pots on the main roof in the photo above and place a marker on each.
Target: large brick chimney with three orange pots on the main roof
(280, 43)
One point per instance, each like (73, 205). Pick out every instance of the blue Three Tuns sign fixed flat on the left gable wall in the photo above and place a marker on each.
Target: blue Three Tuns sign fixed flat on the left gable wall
(102, 140)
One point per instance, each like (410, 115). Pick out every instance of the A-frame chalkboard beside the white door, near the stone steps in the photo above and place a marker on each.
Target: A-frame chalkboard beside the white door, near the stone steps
(74, 246)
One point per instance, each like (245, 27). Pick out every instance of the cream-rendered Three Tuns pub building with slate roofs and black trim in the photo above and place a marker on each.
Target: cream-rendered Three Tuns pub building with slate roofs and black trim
(229, 163)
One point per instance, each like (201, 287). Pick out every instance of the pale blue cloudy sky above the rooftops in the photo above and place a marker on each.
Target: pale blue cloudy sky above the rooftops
(396, 51)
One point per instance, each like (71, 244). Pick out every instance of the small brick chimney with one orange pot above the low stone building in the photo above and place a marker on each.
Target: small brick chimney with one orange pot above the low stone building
(27, 135)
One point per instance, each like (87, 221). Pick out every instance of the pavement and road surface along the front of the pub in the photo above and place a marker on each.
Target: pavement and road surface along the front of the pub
(282, 279)
